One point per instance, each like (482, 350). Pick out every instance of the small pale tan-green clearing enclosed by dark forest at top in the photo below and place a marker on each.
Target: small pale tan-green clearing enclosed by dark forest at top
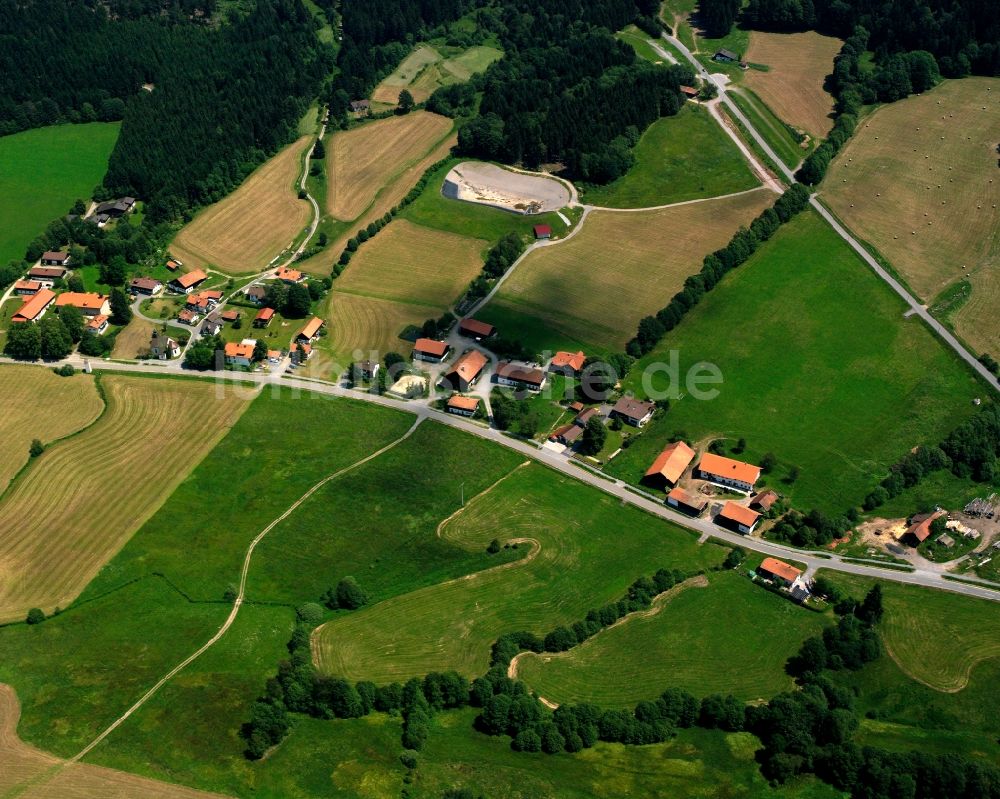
(425, 69)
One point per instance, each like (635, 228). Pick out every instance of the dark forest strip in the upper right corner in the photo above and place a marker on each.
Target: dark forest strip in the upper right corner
(963, 35)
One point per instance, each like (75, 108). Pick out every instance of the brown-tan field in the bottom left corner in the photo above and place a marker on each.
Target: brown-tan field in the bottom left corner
(40, 775)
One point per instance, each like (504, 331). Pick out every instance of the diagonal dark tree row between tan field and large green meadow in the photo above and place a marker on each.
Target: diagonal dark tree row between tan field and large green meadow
(715, 266)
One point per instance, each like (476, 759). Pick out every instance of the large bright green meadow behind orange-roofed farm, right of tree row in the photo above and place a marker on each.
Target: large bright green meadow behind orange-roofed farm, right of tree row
(818, 366)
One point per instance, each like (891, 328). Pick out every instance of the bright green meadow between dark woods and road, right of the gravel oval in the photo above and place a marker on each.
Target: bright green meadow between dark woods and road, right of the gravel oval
(685, 157)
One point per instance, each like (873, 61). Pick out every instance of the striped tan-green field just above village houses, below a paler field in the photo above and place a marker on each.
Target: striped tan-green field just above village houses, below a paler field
(369, 325)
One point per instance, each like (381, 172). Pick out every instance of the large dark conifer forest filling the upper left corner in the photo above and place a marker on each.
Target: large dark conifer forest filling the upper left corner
(223, 96)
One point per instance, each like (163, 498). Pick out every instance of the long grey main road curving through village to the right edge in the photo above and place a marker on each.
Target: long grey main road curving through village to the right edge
(560, 463)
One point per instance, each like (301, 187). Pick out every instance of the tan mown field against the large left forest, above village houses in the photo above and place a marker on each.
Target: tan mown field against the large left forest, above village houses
(243, 232)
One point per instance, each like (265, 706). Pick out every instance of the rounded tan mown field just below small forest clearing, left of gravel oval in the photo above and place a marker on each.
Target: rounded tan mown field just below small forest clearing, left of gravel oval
(361, 162)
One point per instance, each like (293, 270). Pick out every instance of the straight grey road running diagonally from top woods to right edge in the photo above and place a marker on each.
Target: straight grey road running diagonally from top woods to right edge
(915, 306)
